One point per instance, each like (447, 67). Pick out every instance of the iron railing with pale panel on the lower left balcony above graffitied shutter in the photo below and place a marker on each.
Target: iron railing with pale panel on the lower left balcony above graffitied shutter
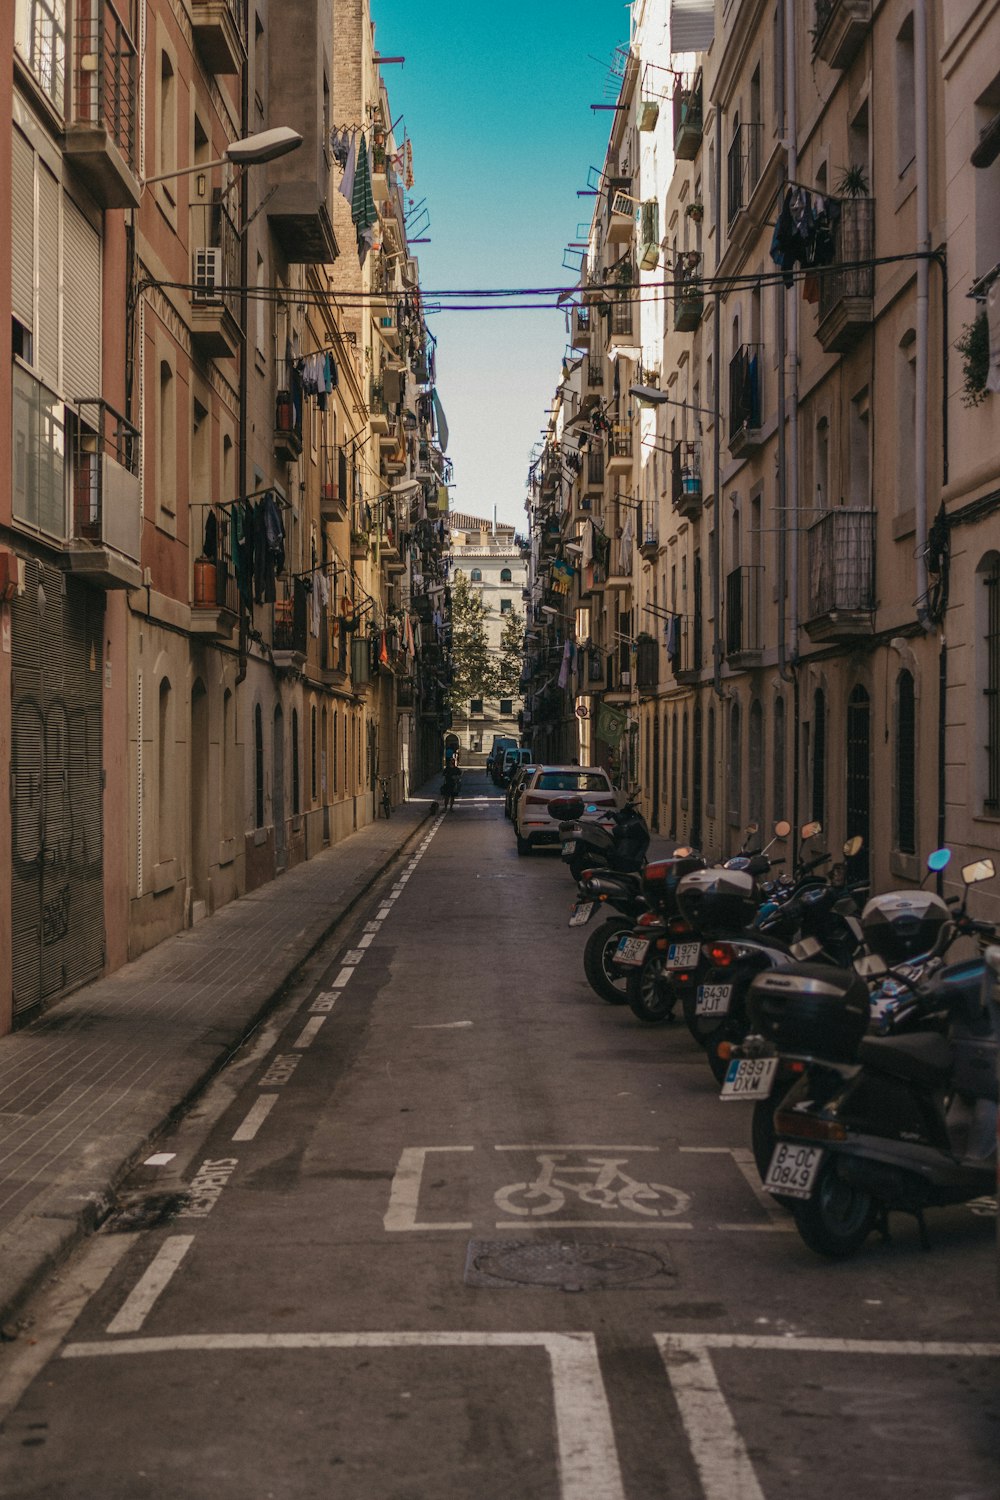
(107, 499)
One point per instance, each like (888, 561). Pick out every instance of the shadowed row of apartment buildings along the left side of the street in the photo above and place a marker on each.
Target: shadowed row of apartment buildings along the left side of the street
(221, 550)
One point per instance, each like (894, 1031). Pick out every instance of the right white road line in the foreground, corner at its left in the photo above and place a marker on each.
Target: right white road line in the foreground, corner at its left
(717, 1448)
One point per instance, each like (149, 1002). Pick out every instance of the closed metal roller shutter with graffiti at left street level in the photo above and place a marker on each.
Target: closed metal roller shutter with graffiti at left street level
(58, 857)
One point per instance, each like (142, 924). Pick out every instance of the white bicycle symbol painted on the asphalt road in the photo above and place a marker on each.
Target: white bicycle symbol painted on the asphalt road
(590, 1178)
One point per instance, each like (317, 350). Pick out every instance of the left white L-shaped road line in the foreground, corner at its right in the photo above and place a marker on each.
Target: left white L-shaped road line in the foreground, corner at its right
(588, 1459)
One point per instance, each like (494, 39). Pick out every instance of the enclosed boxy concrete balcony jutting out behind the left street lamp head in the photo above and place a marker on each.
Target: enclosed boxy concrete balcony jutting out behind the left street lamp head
(299, 185)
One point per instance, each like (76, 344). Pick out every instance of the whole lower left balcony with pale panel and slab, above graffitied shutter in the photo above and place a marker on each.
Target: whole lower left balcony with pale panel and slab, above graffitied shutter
(107, 517)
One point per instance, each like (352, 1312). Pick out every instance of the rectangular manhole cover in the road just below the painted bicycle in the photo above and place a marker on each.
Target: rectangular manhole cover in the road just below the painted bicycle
(570, 1267)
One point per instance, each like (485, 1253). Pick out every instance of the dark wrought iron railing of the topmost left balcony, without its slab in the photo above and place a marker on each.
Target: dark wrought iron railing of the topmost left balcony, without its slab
(106, 77)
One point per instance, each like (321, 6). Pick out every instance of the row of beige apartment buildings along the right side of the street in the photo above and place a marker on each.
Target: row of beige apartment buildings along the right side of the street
(807, 623)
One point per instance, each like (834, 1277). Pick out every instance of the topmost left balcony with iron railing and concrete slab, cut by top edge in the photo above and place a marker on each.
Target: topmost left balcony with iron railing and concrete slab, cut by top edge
(103, 130)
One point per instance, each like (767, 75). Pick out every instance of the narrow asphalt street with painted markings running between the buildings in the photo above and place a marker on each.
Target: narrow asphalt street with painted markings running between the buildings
(451, 1226)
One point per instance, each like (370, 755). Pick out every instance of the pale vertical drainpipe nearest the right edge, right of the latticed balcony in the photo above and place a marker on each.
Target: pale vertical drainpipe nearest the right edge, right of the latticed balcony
(923, 302)
